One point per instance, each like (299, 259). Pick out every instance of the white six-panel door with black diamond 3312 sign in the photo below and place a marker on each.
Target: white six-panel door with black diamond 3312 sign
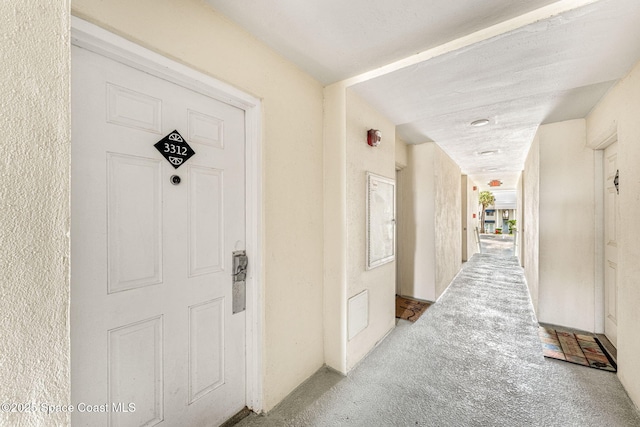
(153, 336)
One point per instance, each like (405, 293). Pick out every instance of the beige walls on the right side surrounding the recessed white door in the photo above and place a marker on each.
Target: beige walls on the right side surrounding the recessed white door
(563, 155)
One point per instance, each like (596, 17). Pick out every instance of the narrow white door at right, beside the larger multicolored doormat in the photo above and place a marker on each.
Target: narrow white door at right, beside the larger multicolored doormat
(611, 213)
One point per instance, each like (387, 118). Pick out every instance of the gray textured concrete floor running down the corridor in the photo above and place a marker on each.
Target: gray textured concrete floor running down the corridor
(473, 359)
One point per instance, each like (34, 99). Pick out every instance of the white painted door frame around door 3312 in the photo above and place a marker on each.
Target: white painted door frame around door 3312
(98, 40)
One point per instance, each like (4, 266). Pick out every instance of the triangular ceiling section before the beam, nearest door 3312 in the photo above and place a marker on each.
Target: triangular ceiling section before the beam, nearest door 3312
(336, 39)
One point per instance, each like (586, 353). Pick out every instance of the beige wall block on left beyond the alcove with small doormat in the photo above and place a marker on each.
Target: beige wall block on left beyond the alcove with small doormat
(430, 235)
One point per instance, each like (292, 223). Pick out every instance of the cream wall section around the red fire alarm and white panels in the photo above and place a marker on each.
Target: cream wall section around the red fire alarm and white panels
(380, 281)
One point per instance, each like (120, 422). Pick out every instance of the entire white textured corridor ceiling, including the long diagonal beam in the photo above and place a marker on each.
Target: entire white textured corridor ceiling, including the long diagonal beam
(433, 66)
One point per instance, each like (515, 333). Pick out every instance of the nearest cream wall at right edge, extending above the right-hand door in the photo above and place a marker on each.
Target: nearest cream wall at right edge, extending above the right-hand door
(618, 113)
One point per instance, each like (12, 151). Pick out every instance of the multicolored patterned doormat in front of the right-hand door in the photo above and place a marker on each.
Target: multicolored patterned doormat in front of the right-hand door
(575, 348)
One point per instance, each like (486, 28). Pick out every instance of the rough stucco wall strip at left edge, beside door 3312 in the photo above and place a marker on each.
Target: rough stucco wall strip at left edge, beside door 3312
(34, 211)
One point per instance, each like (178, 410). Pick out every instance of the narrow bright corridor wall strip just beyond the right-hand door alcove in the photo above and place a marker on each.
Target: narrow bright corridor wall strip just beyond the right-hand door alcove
(530, 224)
